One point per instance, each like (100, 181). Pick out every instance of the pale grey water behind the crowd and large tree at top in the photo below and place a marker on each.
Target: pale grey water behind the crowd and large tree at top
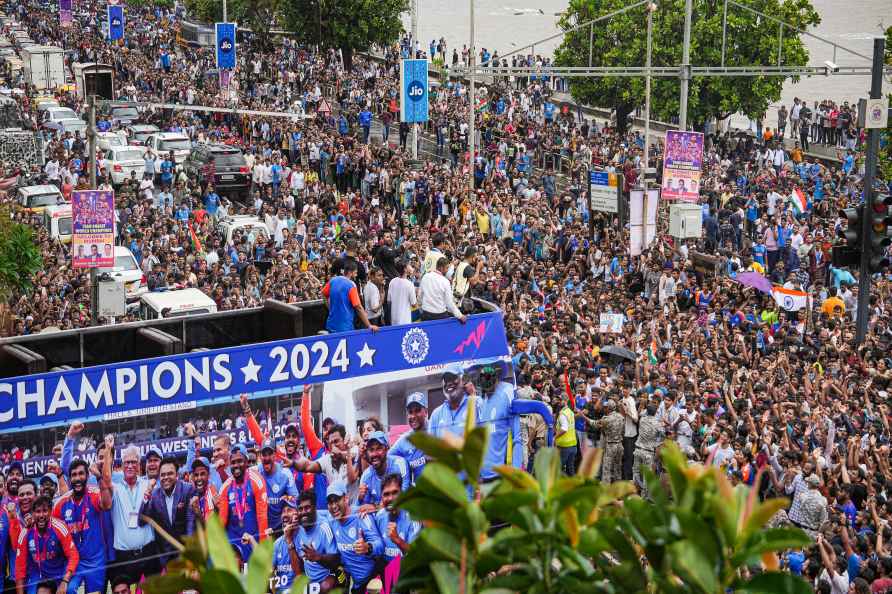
(505, 25)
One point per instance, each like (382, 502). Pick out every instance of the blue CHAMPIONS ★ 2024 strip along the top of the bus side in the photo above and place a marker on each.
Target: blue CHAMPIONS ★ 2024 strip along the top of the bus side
(151, 386)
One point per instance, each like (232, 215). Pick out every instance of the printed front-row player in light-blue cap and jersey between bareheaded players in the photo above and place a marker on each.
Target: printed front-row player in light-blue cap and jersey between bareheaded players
(356, 537)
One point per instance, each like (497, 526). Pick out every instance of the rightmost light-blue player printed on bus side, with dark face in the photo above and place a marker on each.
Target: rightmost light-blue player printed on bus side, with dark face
(495, 411)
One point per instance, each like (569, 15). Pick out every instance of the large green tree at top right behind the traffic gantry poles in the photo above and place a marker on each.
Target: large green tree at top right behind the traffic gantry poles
(621, 41)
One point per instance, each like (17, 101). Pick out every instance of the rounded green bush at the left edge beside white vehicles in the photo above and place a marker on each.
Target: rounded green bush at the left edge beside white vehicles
(20, 256)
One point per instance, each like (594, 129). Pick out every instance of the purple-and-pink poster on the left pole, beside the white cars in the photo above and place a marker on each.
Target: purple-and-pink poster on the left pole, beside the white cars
(93, 229)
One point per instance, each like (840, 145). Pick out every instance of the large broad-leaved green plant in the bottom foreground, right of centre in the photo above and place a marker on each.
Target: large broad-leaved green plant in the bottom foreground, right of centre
(563, 535)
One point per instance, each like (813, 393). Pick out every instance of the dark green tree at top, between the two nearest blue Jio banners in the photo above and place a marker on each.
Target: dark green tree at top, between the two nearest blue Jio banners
(348, 25)
